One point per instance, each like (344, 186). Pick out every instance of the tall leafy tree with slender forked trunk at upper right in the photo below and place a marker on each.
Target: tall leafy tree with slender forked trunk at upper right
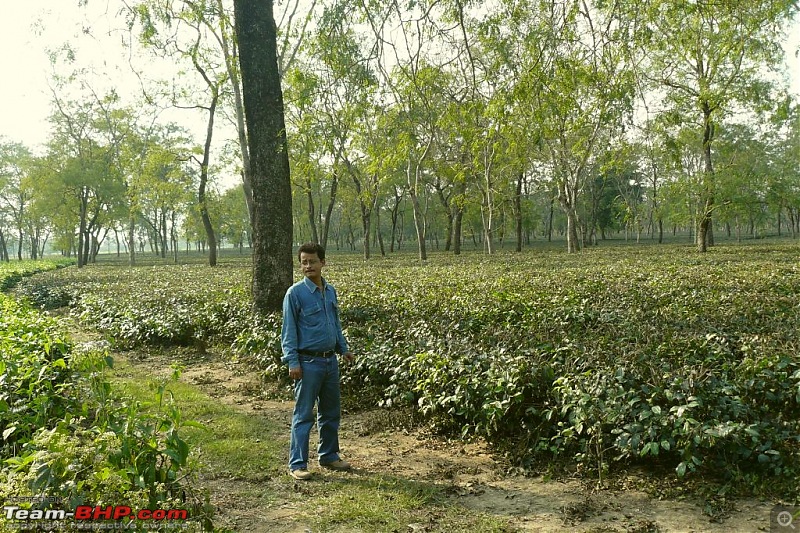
(709, 56)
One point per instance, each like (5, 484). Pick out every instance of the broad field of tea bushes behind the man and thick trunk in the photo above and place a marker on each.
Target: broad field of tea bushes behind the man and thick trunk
(606, 357)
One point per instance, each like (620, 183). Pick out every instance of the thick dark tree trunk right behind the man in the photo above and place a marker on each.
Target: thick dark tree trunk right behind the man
(269, 156)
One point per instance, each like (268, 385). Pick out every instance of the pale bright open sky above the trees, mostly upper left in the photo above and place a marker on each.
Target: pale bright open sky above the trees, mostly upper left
(29, 27)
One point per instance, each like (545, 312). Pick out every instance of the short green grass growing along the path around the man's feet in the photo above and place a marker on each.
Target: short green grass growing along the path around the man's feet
(243, 455)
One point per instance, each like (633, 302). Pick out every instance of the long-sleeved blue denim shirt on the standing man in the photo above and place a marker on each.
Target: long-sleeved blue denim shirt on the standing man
(310, 321)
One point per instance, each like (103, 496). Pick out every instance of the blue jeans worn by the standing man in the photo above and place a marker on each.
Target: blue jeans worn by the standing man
(320, 385)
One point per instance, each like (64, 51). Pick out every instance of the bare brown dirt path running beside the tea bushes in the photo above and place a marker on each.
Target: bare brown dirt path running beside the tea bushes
(468, 473)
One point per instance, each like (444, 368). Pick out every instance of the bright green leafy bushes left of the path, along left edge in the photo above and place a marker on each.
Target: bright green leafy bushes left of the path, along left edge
(69, 438)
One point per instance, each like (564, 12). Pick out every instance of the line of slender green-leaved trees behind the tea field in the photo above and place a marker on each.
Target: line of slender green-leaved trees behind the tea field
(429, 125)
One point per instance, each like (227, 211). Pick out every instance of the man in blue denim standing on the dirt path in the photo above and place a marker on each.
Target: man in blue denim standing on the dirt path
(311, 337)
